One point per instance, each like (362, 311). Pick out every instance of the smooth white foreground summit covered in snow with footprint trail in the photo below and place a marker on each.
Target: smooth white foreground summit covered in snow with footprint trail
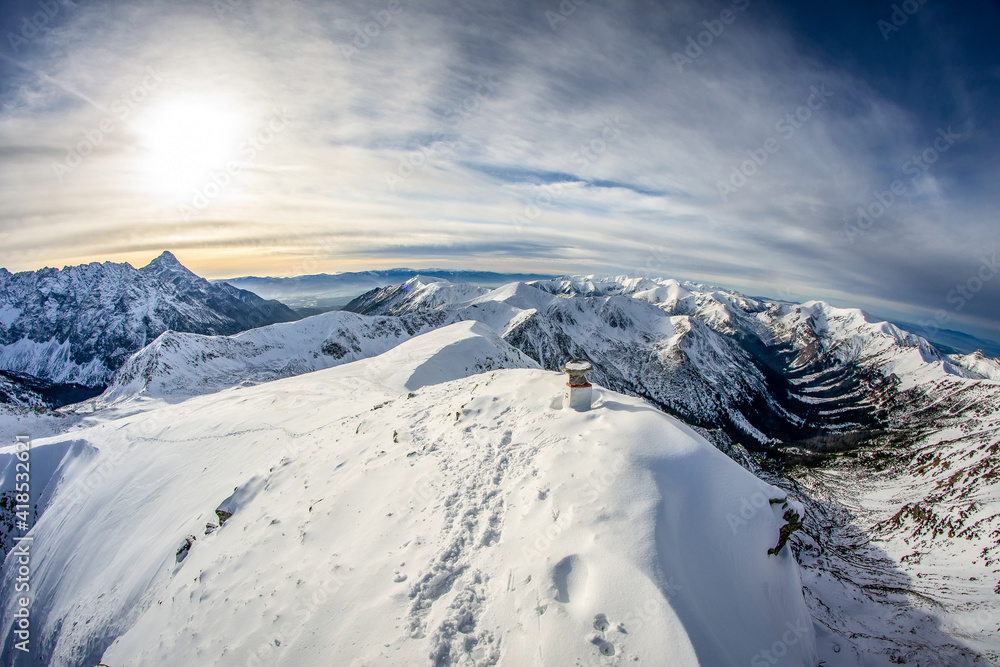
(392, 512)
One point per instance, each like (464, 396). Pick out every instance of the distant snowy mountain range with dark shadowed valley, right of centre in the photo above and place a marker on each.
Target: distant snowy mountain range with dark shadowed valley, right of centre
(762, 371)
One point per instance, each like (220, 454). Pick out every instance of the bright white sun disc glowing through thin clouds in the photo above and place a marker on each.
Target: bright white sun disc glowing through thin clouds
(186, 139)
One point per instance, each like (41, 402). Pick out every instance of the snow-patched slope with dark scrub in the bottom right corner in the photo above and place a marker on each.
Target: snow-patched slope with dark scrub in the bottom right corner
(909, 526)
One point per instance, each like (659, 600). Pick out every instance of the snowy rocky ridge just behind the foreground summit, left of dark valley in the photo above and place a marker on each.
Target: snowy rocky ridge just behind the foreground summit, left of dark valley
(639, 348)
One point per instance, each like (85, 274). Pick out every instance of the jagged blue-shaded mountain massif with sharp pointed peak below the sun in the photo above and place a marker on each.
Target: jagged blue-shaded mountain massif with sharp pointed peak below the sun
(80, 324)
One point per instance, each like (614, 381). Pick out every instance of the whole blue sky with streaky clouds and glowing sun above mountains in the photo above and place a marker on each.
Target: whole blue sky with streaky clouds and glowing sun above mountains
(843, 151)
